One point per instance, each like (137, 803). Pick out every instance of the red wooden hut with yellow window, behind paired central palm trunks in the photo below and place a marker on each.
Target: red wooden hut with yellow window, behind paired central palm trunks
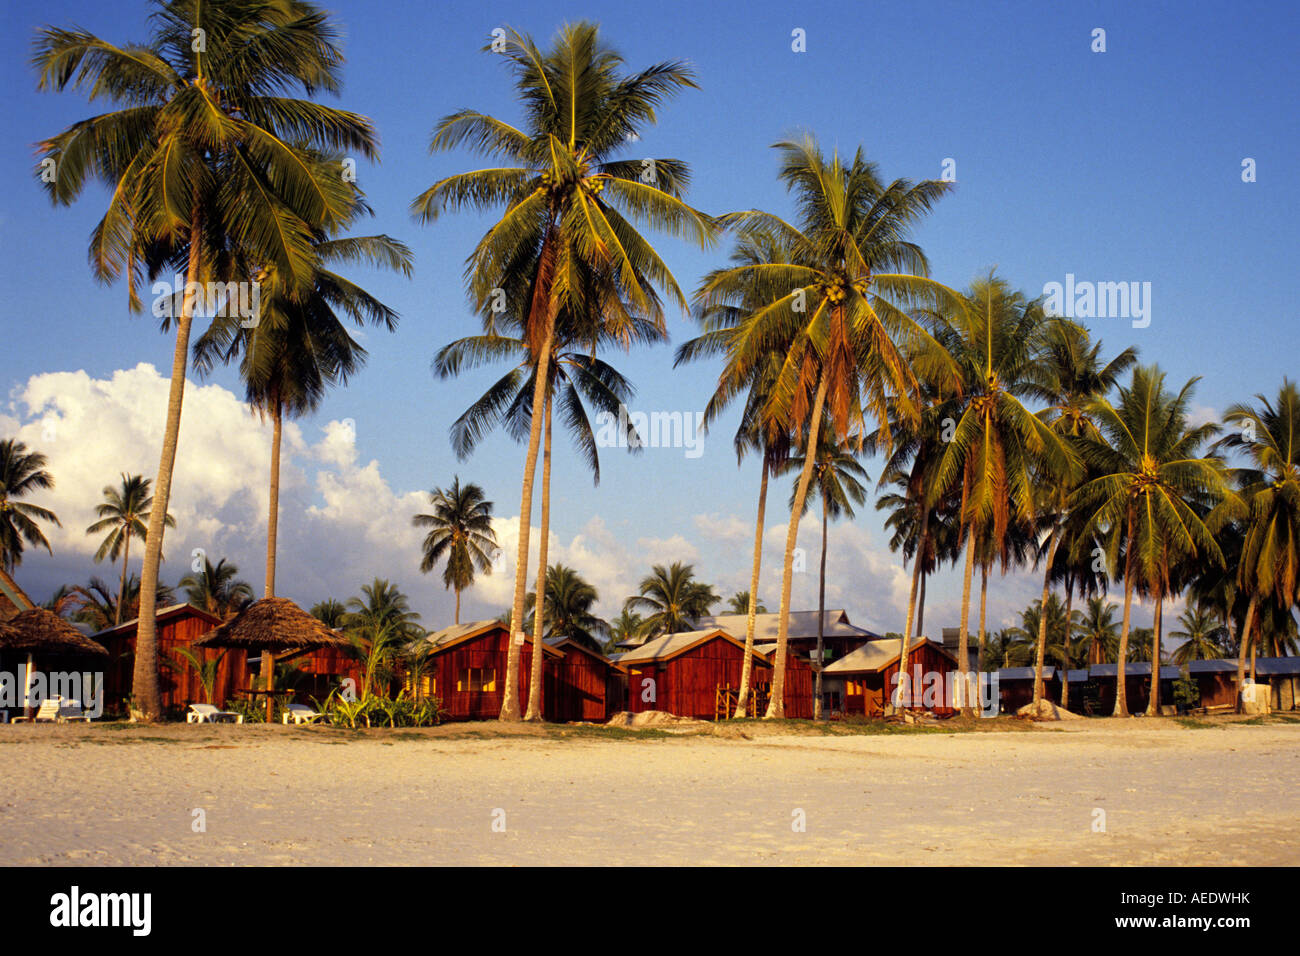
(467, 669)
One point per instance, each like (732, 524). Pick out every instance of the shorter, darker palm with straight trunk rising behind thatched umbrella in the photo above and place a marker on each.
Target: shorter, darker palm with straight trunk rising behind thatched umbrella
(301, 345)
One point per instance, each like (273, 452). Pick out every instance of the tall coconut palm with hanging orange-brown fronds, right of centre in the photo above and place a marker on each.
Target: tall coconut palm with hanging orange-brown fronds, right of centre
(834, 313)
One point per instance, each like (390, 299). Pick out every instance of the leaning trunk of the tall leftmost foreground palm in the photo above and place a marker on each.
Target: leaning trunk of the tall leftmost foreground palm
(146, 704)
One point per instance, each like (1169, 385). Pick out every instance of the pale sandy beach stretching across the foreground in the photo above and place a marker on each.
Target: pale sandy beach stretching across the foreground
(1172, 795)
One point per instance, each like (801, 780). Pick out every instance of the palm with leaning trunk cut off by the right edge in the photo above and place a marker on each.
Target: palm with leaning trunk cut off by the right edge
(1269, 569)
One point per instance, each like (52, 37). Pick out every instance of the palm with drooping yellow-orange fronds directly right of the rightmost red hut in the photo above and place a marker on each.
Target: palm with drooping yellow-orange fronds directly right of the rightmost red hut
(999, 452)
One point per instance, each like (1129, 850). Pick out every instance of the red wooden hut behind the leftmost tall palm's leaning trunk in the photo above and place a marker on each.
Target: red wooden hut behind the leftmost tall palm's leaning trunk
(179, 628)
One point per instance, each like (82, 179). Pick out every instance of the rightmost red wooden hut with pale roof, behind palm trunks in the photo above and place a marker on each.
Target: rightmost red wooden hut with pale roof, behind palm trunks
(870, 676)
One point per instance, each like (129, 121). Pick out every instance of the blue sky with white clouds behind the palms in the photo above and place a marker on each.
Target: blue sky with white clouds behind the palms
(1124, 166)
